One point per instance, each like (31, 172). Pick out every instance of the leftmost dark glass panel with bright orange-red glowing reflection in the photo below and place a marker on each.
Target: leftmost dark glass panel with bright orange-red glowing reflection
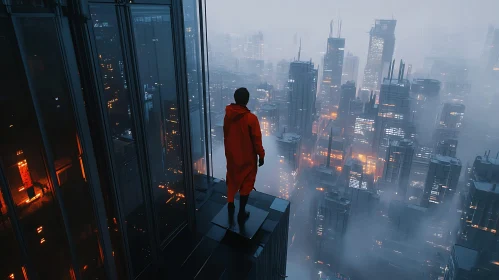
(21, 152)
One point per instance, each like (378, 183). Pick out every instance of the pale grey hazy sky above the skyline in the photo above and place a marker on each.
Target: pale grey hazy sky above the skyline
(453, 27)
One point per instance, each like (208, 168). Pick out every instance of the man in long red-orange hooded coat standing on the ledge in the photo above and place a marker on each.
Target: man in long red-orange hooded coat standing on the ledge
(243, 148)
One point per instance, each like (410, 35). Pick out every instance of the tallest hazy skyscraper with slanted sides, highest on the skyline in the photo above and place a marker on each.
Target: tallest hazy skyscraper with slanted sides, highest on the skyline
(380, 53)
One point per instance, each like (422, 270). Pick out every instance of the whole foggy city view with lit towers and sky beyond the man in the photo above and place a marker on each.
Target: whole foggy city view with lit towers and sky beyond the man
(383, 136)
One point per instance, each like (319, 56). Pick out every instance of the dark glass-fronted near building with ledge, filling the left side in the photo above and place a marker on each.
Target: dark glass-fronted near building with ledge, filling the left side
(105, 156)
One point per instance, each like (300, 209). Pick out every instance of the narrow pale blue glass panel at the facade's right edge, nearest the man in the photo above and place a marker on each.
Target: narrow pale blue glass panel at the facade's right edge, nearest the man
(195, 86)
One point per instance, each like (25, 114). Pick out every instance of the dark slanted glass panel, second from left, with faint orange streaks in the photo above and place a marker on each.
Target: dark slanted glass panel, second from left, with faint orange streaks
(45, 68)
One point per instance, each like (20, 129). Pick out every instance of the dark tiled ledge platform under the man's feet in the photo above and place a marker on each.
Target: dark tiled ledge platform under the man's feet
(216, 252)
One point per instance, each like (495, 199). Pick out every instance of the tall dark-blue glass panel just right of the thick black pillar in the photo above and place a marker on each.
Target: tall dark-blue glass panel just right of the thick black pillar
(116, 100)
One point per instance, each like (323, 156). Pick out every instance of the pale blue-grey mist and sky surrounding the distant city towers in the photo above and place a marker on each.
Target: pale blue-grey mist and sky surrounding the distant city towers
(399, 239)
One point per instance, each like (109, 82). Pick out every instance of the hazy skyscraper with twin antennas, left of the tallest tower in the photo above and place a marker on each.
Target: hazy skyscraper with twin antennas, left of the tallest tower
(332, 71)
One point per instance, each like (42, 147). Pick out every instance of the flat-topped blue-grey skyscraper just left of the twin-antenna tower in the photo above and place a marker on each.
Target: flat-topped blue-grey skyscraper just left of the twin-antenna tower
(302, 89)
